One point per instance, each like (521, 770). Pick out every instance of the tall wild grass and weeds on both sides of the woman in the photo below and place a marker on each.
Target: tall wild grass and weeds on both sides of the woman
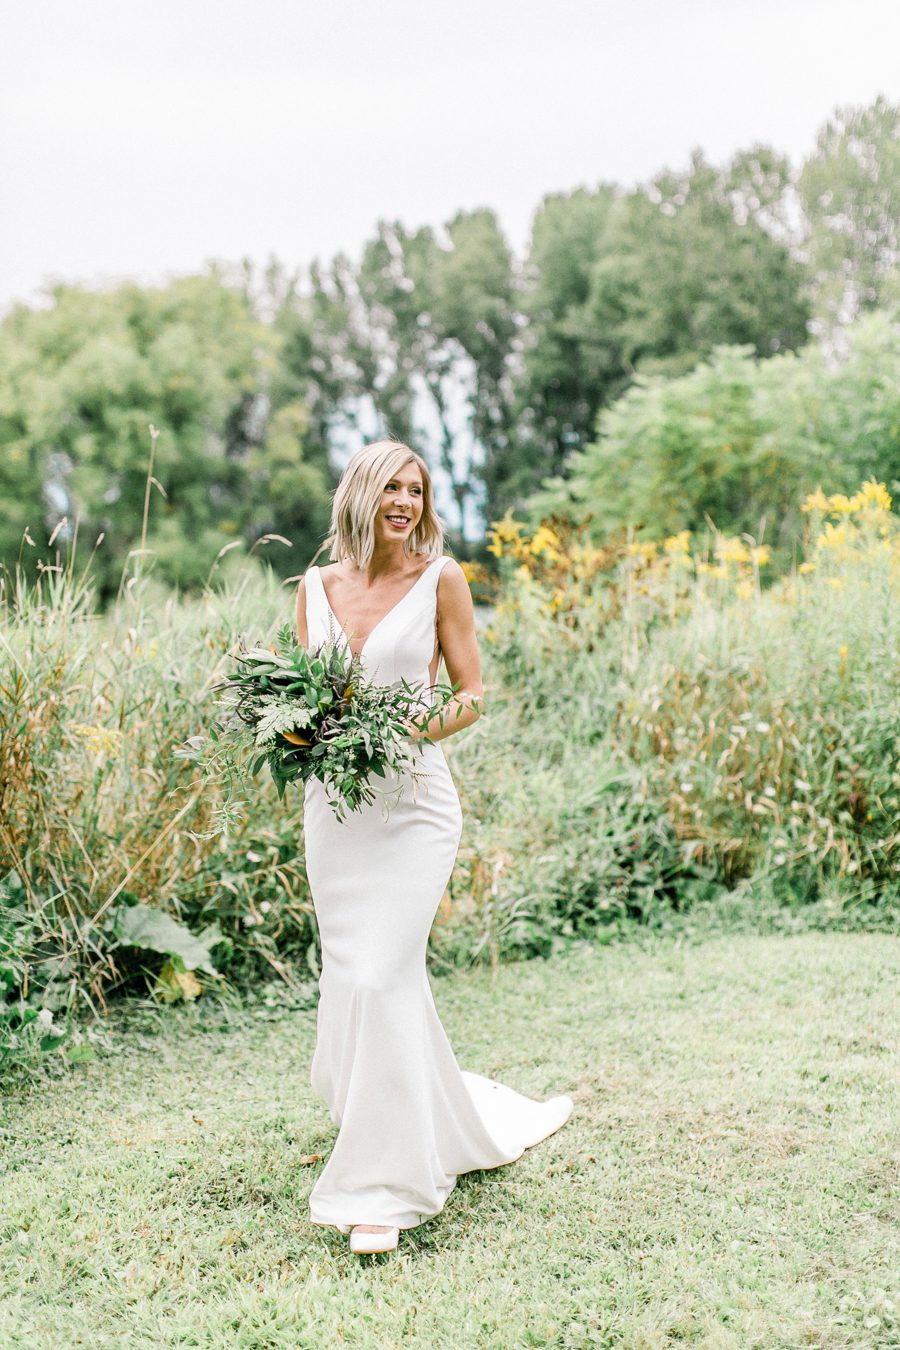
(662, 728)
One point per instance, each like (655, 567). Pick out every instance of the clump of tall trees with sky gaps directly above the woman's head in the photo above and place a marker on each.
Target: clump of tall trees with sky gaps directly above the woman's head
(415, 342)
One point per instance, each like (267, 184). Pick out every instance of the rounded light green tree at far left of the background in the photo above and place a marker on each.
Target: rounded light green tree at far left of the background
(83, 381)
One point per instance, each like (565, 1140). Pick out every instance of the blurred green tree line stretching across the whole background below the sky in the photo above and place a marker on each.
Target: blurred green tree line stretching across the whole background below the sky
(508, 372)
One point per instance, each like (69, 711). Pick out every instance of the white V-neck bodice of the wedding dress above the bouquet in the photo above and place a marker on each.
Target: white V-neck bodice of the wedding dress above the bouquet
(403, 643)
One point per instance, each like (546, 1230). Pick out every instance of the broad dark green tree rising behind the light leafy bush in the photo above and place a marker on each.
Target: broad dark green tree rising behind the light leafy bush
(646, 283)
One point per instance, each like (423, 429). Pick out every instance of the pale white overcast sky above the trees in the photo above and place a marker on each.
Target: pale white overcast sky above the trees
(141, 138)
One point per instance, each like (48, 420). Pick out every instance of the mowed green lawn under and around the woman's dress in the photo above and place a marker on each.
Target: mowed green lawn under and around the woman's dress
(731, 1177)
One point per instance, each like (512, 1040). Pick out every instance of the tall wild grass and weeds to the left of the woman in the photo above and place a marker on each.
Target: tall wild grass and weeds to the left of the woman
(98, 813)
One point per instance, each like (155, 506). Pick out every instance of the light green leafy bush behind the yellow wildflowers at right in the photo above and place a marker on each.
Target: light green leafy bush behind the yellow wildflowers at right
(741, 441)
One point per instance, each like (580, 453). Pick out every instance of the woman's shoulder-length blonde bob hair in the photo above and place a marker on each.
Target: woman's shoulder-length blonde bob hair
(358, 497)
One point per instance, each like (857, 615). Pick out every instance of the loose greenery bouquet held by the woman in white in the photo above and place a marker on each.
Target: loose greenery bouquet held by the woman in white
(314, 715)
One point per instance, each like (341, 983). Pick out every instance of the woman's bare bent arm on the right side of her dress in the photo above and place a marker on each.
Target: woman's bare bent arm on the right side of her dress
(459, 647)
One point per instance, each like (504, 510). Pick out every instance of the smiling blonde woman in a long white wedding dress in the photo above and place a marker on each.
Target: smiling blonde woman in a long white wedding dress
(411, 1121)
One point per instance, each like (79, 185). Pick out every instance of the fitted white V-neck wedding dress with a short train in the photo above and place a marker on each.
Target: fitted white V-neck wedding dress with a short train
(411, 1121)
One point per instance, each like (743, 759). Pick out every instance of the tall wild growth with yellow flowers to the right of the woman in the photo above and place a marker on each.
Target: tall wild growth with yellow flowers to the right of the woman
(670, 728)
